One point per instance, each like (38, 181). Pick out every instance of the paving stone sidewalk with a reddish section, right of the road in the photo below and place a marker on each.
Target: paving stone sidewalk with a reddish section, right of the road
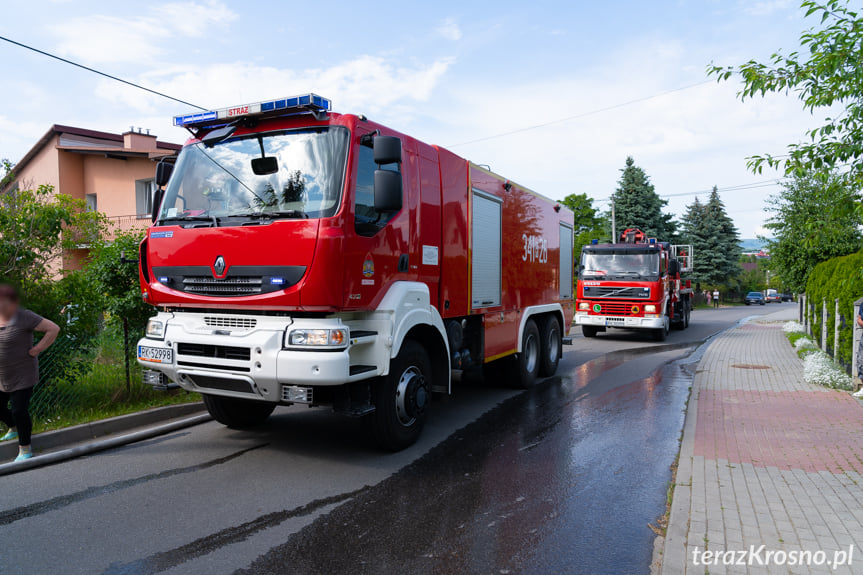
(766, 459)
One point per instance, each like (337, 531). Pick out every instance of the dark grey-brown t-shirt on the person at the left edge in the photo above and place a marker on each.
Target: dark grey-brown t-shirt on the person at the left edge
(17, 369)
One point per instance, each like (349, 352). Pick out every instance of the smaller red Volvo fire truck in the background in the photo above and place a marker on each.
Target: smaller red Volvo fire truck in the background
(634, 284)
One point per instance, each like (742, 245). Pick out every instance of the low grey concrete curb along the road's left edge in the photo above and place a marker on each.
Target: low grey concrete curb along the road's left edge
(100, 428)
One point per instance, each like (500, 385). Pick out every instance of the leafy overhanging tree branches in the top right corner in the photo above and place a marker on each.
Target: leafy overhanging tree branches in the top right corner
(824, 72)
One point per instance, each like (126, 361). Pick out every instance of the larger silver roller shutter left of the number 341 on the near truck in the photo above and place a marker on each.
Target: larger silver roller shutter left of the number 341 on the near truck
(486, 251)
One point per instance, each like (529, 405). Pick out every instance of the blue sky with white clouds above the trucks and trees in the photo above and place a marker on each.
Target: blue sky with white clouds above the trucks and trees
(445, 72)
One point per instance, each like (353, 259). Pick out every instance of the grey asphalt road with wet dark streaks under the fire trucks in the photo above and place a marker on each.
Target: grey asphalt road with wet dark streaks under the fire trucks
(564, 478)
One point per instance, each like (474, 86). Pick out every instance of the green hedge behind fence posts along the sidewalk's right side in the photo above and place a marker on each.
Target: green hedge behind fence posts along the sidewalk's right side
(841, 278)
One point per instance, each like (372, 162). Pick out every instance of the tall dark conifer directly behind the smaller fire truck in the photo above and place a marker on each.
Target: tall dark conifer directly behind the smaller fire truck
(636, 204)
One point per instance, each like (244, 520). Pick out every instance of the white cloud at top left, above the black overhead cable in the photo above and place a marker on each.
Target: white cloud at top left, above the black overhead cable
(112, 39)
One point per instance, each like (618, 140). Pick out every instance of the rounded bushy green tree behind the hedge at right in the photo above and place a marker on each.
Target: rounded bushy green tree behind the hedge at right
(811, 223)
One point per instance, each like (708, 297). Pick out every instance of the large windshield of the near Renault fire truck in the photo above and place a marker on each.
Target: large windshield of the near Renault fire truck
(219, 183)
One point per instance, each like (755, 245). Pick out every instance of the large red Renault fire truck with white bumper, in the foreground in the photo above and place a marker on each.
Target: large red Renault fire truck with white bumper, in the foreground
(299, 256)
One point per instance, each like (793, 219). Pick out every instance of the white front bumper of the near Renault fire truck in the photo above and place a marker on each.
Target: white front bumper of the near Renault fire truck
(249, 362)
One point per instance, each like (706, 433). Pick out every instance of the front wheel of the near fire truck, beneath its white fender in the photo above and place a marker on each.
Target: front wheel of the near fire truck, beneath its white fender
(402, 398)
